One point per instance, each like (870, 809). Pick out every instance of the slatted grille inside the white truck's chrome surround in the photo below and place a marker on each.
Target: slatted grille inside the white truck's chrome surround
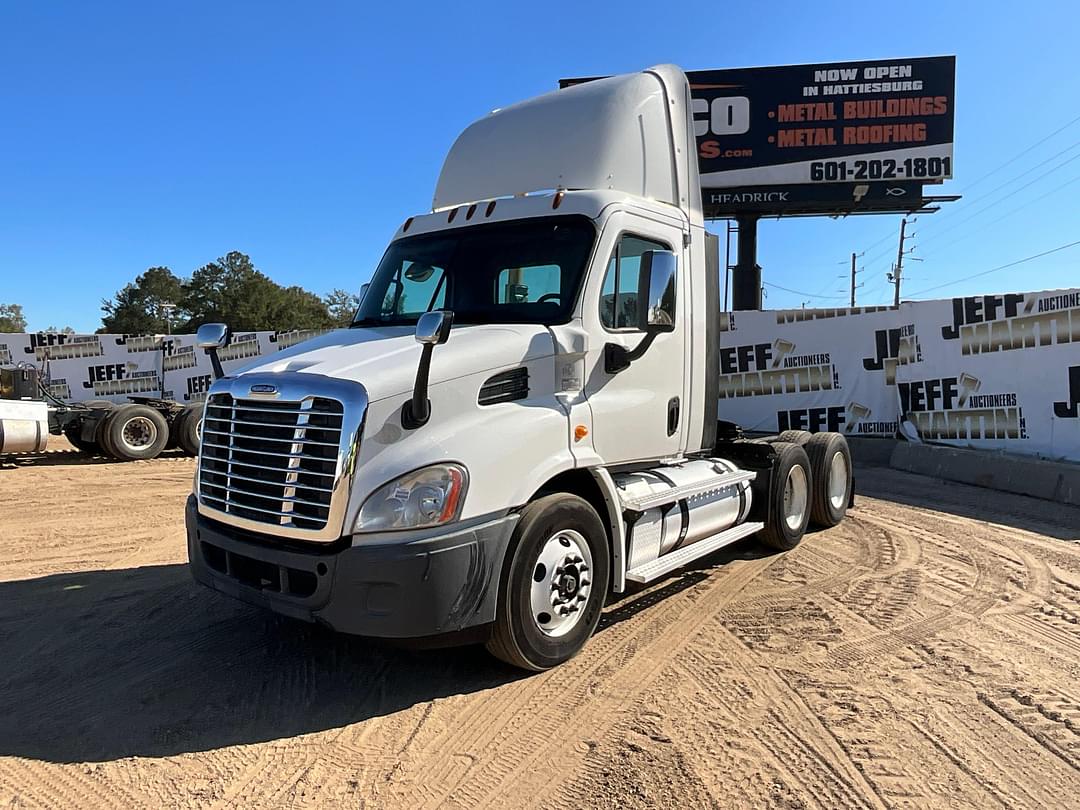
(272, 462)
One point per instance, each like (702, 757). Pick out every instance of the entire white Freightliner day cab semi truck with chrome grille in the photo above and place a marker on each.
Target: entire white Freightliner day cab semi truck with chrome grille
(523, 418)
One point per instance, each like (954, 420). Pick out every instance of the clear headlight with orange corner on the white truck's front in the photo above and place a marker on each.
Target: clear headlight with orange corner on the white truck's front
(428, 497)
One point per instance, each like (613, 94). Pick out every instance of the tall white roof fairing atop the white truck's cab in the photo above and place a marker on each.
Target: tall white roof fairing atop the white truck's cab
(630, 133)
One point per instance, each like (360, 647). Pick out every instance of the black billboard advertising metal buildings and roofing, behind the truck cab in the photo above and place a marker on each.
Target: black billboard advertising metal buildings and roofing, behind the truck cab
(830, 139)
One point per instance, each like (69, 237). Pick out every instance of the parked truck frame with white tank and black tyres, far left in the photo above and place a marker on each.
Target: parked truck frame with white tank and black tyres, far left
(140, 429)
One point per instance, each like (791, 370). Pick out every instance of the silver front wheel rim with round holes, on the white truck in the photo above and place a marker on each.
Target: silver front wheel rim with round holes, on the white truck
(562, 582)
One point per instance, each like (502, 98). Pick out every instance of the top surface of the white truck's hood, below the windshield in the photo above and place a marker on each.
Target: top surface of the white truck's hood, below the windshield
(385, 359)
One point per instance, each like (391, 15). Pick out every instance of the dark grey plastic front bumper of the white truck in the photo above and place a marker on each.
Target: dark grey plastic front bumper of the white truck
(403, 585)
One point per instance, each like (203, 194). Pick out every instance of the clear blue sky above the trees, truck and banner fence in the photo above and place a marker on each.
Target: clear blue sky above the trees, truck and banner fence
(138, 134)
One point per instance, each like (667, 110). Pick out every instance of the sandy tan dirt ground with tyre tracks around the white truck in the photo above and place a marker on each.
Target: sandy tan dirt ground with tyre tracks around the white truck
(924, 654)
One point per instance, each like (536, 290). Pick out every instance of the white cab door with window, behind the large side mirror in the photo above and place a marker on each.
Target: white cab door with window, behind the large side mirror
(638, 414)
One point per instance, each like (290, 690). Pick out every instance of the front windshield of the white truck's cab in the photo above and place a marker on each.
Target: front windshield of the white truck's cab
(526, 272)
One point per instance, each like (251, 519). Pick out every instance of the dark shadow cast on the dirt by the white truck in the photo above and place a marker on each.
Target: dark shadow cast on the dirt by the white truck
(106, 665)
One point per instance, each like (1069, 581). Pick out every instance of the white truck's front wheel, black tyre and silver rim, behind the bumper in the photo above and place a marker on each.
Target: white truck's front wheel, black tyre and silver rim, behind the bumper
(556, 584)
